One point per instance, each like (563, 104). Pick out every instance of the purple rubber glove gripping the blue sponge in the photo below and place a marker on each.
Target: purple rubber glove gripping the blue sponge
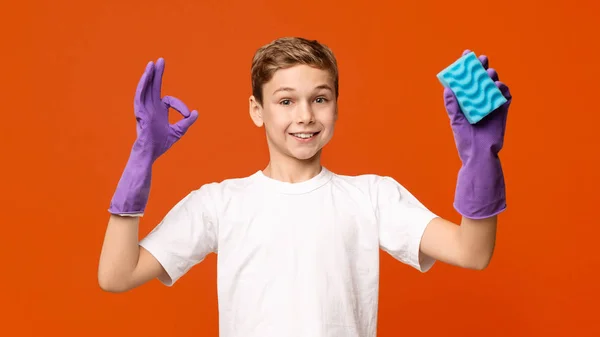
(480, 189)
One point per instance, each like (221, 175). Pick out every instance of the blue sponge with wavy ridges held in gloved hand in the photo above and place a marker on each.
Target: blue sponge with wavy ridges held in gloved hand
(474, 89)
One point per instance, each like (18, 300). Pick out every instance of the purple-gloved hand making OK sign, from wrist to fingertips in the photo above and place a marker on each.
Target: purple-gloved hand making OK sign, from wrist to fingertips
(154, 133)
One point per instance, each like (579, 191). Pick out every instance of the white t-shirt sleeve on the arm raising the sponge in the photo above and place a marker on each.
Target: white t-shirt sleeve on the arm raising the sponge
(402, 220)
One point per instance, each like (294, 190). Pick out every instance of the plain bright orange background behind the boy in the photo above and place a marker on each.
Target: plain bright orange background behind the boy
(70, 69)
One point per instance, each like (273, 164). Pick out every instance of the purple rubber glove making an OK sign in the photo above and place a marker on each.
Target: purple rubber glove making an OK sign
(154, 137)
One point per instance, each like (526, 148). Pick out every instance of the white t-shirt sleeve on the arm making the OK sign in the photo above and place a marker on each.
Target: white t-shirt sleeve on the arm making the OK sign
(185, 236)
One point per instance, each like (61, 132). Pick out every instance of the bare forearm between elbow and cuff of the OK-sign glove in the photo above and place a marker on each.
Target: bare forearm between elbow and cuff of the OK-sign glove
(120, 252)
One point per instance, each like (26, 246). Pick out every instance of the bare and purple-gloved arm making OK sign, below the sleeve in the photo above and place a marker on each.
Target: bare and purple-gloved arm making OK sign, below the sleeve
(124, 264)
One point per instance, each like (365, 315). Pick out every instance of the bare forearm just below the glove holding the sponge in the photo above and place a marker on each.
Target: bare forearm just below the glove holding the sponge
(478, 239)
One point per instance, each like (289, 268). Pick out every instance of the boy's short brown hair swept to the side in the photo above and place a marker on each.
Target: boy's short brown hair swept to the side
(287, 52)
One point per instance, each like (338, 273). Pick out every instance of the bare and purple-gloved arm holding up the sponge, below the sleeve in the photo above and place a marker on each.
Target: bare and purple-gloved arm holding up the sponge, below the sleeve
(480, 190)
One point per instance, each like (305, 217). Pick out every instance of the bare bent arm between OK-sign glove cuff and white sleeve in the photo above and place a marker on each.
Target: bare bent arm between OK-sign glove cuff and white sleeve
(124, 264)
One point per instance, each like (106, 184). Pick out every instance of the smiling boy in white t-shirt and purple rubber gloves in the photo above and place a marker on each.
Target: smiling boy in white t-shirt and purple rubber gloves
(298, 245)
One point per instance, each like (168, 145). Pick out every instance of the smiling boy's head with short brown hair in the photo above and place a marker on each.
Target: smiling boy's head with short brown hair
(294, 95)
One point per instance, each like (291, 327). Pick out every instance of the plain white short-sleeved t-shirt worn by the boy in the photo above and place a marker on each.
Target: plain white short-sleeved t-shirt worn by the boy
(297, 259)
